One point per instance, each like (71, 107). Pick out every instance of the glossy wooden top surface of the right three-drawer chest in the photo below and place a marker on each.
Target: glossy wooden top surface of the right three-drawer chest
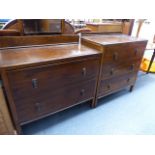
(111, 39)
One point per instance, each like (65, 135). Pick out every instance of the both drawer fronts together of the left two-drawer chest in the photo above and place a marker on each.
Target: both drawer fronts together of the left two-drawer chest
(48, 89)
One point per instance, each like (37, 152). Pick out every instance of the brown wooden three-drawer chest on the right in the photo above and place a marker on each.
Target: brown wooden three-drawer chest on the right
(120, 63)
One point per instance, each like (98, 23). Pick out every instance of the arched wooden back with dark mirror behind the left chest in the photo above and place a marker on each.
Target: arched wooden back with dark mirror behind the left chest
(33, 26)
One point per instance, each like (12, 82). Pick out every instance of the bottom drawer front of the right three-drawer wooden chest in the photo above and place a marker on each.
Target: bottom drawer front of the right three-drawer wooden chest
(111, 85)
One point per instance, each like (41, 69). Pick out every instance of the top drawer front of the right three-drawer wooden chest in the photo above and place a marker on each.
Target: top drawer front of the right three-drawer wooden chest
(124, 52)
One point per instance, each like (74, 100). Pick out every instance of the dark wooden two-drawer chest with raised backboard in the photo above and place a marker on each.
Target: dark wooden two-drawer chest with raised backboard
(44, 79)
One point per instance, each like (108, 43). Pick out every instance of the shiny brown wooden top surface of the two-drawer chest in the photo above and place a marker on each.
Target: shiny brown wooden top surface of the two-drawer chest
(31, 55)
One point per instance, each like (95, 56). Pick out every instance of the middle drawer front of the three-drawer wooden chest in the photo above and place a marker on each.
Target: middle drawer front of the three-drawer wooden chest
(113, 70)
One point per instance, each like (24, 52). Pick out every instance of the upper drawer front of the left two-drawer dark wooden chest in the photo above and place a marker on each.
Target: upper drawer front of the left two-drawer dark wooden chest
(28, 82)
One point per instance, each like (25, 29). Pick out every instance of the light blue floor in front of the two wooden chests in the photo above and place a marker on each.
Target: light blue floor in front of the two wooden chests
(119, 113)
